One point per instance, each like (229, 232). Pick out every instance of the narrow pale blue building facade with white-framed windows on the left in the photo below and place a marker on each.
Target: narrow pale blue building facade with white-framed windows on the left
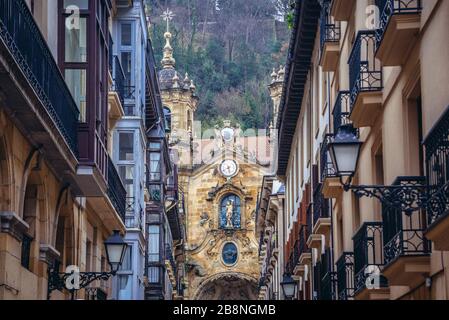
(130, 39)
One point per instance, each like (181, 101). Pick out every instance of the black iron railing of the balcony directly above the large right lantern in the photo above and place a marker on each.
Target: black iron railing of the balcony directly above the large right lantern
(365, 71)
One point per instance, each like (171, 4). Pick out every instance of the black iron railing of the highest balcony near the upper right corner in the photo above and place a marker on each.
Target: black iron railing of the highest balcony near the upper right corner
(388, 8)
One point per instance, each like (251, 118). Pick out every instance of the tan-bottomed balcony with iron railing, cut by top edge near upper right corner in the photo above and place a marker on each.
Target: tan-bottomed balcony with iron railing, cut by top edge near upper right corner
(398, 27)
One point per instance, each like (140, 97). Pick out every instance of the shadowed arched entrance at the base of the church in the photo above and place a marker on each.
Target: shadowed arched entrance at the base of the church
(228, 286)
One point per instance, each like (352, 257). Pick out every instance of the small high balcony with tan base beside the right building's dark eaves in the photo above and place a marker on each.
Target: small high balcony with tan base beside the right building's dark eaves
(330, 33)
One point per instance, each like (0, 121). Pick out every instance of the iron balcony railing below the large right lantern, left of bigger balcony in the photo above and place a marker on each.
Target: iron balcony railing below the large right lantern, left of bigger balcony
(368, 257)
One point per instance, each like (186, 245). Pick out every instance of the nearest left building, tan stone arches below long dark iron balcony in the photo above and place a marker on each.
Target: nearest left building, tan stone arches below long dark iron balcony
(62, 195)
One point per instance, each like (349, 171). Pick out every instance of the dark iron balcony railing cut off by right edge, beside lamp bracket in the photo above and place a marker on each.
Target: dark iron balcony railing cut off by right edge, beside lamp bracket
(437, 167)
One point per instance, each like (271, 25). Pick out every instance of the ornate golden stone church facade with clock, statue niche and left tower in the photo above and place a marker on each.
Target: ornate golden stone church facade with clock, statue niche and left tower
(220, 176)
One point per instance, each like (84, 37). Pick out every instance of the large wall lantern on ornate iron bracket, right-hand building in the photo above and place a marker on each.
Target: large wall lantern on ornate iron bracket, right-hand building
(407, 196)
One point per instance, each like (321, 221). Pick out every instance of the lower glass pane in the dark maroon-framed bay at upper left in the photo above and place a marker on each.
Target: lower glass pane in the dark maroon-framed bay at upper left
(76, 81)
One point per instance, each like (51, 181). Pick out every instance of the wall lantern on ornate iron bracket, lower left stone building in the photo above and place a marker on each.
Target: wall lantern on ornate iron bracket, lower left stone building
(73, 281)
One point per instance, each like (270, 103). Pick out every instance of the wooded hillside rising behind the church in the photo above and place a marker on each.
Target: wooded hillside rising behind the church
(229, 48)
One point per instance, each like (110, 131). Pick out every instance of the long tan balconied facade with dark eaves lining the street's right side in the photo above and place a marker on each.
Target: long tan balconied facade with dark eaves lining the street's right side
(370, 67)
